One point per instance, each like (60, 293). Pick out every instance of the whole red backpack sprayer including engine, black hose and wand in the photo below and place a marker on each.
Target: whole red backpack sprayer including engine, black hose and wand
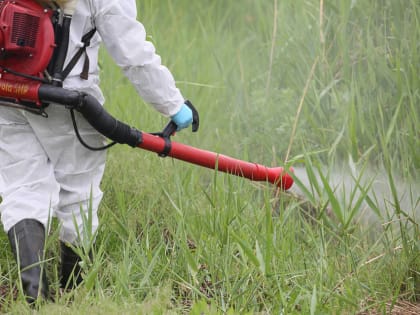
(33, 47)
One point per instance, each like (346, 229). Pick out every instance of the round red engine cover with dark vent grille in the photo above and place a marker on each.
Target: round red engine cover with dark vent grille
(26, 38)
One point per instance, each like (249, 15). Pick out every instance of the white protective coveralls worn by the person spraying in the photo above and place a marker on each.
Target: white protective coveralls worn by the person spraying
(44, 170)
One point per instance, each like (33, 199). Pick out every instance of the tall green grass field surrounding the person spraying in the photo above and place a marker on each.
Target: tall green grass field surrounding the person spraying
(175, 237)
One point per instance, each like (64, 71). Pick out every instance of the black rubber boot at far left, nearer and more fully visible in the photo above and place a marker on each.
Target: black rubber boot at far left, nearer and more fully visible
(27, 240)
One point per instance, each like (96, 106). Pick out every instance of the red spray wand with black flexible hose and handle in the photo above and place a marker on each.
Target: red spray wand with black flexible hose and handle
(160, 143)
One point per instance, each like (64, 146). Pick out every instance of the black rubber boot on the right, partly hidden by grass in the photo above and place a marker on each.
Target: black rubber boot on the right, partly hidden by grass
(71, 271)
